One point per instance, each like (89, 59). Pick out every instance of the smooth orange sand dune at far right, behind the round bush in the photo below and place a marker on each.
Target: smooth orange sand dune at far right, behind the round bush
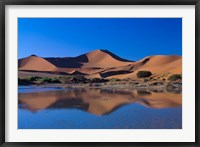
(158, 65)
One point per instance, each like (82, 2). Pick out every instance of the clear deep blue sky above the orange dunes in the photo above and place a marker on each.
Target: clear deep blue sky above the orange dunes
(129, 38)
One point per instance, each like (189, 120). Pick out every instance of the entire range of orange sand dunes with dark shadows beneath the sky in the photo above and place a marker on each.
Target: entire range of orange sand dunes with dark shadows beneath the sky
(103, 64)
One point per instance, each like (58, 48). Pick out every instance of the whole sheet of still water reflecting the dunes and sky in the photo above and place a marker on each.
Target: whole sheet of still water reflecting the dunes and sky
(57, 108)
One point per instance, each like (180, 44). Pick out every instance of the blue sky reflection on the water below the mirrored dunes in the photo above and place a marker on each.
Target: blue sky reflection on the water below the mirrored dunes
(132, 115)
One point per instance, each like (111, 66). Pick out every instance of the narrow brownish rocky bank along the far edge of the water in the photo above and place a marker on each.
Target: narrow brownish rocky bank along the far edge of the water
(175, 87)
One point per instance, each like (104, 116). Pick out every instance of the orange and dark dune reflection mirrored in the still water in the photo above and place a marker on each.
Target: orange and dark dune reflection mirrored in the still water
(96, 101)
